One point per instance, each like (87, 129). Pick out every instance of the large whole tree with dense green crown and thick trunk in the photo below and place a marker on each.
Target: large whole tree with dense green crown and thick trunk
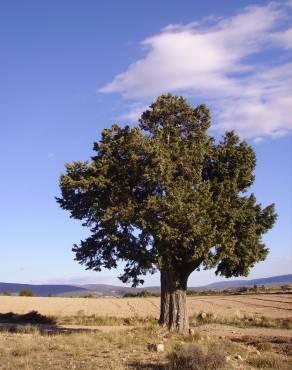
(164, 195)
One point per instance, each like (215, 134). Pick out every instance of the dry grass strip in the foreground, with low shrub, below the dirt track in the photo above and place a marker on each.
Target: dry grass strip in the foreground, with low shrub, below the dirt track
(128, 350)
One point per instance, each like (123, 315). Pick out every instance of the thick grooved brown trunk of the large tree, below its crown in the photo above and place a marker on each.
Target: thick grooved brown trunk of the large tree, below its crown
(173, 307)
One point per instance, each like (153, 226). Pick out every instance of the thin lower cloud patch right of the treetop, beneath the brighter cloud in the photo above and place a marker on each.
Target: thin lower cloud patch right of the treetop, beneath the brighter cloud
(262, 104)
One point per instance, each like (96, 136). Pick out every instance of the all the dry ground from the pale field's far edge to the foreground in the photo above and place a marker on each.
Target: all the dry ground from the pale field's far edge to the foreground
(243, 332)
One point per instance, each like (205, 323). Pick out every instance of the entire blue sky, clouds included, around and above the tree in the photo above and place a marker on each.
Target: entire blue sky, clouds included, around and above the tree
(70, 68)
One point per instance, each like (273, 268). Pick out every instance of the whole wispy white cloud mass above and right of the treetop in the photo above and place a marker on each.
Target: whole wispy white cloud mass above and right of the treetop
(236, 64)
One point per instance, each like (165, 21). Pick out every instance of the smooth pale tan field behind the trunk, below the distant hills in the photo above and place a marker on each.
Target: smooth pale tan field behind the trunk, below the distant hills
(274, 306)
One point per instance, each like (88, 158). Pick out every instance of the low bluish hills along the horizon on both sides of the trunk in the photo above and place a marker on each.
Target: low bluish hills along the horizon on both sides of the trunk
(113, 290)
